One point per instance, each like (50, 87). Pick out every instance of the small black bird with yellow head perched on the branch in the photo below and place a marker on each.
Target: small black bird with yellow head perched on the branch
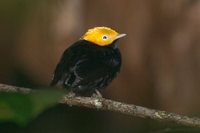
(91, 63)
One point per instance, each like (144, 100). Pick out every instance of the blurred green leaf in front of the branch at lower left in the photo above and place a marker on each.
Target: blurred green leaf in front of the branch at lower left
(22, 108)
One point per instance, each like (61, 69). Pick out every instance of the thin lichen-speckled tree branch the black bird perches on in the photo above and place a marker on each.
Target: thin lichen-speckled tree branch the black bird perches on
(123, 108)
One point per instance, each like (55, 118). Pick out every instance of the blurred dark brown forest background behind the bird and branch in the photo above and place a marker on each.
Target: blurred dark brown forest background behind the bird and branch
(161, 58)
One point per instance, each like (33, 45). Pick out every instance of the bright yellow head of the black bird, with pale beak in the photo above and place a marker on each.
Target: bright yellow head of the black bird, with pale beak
(101, 36)
